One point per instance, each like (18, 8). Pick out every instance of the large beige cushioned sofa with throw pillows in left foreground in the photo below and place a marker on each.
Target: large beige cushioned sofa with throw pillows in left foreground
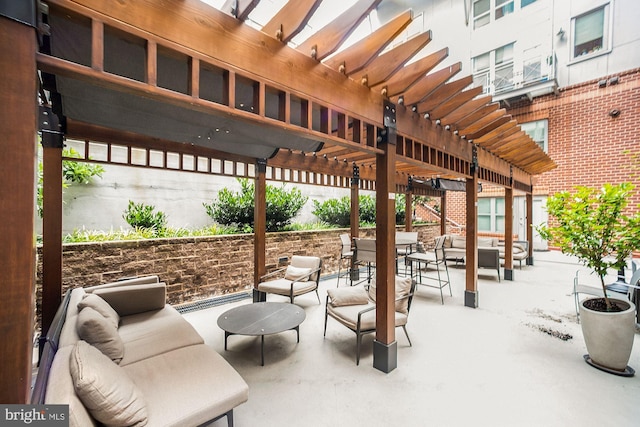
(118, 355)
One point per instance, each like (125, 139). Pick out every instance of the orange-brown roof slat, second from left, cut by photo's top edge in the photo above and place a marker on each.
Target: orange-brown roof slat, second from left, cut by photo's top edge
(291, 19)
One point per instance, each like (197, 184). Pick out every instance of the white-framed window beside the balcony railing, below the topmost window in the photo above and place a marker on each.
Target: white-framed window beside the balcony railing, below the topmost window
(494, 70)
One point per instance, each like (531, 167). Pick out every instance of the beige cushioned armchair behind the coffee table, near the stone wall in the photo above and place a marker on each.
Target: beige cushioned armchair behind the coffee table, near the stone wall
(301, 276)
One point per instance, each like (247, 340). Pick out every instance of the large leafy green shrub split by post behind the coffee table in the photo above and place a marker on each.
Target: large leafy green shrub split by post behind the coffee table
(236, 209)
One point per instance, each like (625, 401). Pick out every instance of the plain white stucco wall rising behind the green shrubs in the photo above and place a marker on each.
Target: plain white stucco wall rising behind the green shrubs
(100, 205)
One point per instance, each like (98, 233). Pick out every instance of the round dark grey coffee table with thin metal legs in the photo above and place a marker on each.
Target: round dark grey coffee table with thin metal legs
(260, 319)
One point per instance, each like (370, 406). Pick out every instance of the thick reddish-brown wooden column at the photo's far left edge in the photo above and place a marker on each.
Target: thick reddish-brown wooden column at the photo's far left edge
(17, 185)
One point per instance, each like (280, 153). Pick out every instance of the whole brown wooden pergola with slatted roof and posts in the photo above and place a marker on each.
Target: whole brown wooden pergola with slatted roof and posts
(181, 77)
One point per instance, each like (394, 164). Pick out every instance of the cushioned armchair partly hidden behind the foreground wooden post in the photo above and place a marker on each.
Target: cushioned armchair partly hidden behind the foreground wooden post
(355, 308)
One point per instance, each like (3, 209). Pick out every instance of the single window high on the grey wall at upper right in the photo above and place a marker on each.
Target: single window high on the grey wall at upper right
(590, 32)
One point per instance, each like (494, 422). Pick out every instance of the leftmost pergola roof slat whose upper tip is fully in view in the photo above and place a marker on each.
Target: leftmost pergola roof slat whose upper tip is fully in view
(358, 55)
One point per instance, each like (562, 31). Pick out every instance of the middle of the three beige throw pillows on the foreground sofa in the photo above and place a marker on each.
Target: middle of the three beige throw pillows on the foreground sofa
(98, 331)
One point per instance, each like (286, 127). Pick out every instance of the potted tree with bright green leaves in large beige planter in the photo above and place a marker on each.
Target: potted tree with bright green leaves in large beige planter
(591, 224)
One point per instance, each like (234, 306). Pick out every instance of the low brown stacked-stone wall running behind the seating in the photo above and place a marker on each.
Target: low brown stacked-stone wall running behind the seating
(196, 268)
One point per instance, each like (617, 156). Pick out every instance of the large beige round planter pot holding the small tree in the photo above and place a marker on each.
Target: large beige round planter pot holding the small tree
(609, 337)
